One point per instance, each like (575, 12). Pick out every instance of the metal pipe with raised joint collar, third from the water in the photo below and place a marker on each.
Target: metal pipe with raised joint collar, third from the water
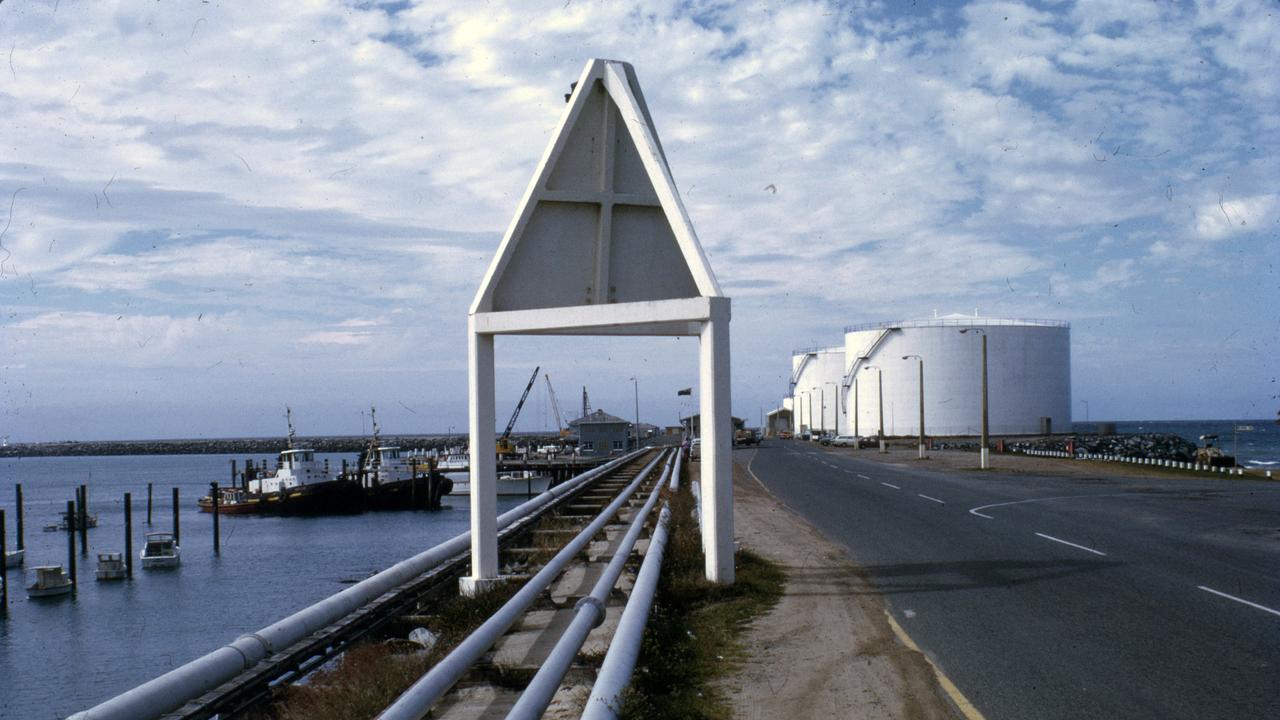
(588, 616)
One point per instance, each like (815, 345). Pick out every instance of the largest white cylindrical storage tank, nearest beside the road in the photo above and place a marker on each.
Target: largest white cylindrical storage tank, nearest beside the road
(1028, 370)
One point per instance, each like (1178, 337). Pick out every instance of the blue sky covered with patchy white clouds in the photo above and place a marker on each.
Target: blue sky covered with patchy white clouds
(211, 211)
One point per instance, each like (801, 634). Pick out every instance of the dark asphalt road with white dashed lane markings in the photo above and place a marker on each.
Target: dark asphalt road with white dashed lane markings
(1062, 598)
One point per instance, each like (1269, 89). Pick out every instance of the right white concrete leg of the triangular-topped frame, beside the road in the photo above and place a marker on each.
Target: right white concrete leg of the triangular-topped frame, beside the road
(717, 427)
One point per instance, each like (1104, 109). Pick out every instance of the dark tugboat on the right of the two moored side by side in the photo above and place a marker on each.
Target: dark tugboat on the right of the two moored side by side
(392, 482)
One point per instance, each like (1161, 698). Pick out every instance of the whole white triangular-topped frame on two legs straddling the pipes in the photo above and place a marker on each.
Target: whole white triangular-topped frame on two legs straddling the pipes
(602, 245)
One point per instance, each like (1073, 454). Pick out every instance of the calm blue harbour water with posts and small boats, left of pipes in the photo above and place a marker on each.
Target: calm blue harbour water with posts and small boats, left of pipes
(63, 655)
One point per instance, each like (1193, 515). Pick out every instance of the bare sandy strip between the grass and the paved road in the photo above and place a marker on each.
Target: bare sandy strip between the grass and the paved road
(826, 650)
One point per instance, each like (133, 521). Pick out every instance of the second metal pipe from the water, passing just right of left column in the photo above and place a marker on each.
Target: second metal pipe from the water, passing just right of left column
(419, 699)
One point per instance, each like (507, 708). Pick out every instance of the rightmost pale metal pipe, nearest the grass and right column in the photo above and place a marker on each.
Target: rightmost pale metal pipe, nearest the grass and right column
(620, 662)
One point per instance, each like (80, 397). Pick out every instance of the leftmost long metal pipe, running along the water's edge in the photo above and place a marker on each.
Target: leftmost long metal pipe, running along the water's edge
(162, 695)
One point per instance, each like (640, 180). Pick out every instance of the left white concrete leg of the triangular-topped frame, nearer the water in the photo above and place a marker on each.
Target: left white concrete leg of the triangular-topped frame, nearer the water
(484, 463)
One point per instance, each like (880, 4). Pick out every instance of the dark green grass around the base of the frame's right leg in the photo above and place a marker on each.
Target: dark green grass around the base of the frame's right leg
(694, 632)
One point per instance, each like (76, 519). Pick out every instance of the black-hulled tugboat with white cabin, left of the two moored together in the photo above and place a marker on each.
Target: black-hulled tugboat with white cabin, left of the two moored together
(300, 486)
